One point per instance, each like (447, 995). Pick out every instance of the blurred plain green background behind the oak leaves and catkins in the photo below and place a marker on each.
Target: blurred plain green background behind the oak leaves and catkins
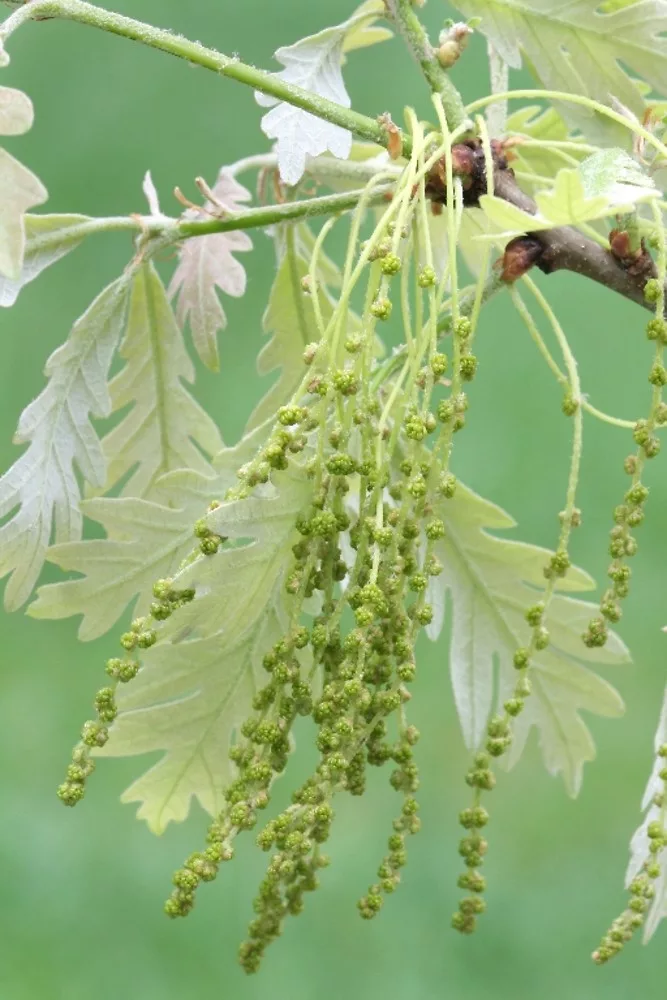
(81, 913)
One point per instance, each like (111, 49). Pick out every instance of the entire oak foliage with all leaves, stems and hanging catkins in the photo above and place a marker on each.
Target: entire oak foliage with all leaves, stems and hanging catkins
(290, 574)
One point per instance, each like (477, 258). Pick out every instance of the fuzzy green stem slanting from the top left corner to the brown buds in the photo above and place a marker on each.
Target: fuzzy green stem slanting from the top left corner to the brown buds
(199, 55)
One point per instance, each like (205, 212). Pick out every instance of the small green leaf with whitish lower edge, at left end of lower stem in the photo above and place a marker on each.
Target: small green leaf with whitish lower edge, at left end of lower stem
(48, 238)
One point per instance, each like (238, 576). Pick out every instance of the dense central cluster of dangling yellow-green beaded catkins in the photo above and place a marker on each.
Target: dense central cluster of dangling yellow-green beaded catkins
(376, 454)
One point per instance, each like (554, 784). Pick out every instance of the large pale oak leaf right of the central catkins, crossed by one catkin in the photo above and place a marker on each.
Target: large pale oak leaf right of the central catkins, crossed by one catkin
(492, 581)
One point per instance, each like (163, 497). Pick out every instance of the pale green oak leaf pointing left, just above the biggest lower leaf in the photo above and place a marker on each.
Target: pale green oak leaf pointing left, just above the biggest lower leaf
(145, 540)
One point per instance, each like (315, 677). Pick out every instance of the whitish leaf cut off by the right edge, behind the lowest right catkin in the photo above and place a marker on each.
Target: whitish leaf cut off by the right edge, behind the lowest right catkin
(639, 844)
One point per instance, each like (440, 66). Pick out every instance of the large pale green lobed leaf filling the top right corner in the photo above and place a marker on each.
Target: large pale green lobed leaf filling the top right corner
(578, 48)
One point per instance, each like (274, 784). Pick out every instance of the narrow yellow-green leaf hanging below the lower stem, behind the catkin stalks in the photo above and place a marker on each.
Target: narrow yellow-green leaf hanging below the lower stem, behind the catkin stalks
(290, 320)
